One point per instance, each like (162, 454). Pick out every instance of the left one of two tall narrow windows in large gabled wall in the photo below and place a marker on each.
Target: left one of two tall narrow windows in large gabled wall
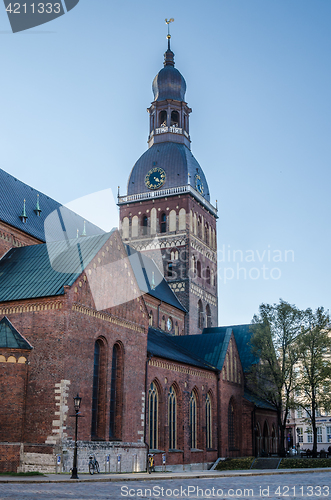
(99, 391)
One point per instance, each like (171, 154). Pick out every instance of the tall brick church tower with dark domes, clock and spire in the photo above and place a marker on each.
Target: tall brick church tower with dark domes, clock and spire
(167, 208)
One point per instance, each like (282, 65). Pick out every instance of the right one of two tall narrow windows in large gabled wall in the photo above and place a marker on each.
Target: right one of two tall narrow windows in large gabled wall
(116, 396)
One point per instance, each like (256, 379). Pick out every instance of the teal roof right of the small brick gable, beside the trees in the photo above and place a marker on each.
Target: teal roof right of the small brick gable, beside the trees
(242, 335)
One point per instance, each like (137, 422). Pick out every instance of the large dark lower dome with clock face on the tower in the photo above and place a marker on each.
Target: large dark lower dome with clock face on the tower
(179, 164)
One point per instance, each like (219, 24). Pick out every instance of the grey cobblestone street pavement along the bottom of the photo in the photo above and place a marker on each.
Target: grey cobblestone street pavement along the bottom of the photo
(283, 486)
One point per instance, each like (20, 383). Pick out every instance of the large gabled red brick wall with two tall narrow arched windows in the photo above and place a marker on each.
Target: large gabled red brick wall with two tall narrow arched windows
(63, 337)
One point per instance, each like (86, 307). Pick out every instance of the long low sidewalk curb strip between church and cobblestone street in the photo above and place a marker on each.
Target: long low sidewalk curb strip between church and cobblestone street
(155, 477)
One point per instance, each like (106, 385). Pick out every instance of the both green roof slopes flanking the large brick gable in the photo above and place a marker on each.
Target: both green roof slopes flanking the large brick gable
(43, 270)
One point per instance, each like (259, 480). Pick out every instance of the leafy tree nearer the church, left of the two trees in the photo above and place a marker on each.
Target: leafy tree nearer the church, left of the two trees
(275, 331)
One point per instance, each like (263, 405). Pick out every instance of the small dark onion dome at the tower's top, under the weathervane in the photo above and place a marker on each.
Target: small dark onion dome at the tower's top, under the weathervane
(169, 83)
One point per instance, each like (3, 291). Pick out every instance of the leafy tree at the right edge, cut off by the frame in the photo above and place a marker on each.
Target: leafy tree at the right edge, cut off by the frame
(314, 348)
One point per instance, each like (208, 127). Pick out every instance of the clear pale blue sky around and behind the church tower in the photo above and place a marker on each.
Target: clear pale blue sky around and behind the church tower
(73, 121)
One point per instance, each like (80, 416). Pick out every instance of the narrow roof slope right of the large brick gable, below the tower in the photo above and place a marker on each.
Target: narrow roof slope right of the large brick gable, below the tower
(150, 280)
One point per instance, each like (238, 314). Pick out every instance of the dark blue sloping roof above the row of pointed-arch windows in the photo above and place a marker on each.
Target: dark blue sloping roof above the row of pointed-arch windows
(165, 346)
